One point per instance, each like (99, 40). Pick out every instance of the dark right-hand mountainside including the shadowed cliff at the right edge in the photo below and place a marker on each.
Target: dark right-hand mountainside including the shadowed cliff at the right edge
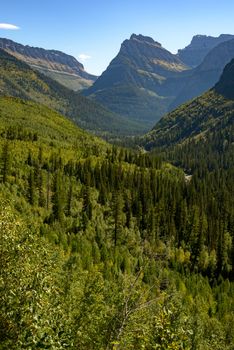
(207, 120)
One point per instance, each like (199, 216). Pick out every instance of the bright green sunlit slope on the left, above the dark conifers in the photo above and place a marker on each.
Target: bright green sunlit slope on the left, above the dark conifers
(28, 121)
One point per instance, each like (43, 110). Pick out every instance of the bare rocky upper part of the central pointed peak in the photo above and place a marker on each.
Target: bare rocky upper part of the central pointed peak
(140, 61)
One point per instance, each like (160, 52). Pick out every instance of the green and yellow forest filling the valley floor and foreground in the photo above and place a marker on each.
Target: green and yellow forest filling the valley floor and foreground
(106, 247)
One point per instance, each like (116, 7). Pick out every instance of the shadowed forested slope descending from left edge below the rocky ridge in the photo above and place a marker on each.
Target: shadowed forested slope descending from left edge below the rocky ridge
(19, 80)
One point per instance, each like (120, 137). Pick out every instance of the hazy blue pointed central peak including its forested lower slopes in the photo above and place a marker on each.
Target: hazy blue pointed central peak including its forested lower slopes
(134, 84)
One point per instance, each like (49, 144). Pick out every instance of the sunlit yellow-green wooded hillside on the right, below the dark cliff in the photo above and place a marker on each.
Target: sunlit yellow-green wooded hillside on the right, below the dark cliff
(192, 120)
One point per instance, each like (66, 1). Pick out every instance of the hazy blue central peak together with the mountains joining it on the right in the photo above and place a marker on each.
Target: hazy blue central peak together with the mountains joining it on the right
(144, 80)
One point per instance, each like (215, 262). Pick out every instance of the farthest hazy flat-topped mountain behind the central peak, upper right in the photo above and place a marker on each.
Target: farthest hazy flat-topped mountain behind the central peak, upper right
(195, 52)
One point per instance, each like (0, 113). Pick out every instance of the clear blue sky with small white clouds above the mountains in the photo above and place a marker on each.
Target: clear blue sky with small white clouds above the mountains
(93, 30)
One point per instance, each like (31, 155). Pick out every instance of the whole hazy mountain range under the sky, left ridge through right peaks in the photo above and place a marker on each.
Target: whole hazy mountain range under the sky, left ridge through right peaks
(141, 84)
